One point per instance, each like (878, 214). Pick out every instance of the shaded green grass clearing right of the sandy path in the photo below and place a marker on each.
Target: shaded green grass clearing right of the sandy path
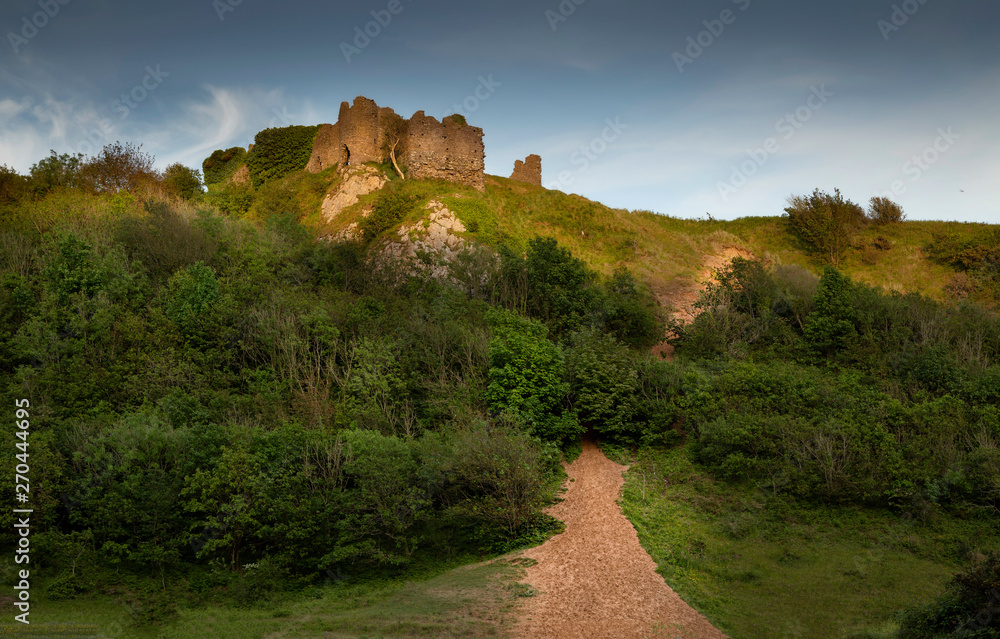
(761, 568)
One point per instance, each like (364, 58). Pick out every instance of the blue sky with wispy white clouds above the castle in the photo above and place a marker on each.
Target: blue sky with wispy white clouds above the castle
(683, 108)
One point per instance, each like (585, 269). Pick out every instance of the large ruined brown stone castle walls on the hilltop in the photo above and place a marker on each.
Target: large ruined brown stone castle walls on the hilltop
(447, 150)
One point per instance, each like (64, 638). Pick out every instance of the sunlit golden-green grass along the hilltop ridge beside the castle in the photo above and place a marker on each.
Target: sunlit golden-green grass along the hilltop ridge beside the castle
(667, 252)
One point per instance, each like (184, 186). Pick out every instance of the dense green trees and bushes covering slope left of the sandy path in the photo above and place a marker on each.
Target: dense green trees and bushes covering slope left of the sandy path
(209, 394)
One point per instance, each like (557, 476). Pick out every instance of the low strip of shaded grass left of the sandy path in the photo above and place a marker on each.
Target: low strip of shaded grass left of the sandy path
(475, 600)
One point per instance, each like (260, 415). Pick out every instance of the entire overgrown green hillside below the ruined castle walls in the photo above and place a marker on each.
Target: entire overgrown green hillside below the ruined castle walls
(301, 392)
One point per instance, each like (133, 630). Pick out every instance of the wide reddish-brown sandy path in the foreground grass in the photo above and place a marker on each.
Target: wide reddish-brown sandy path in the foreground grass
(595, 579)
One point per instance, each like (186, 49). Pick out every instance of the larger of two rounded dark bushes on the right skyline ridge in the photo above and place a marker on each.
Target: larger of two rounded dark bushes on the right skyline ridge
(826, 222)
